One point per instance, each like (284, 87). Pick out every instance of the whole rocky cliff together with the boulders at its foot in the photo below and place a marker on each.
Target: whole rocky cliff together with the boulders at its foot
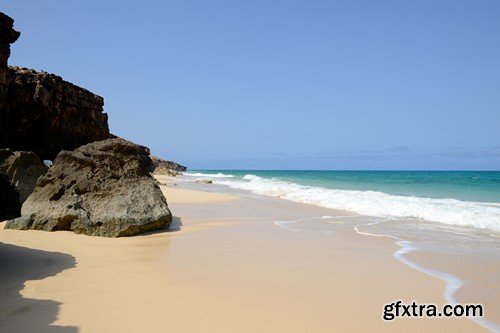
(98, 184)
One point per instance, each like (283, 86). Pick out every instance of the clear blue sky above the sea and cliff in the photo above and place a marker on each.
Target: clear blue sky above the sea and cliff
(402, 84)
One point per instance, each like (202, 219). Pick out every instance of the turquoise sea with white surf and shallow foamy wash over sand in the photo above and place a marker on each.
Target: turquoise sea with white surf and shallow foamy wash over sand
(443, 213)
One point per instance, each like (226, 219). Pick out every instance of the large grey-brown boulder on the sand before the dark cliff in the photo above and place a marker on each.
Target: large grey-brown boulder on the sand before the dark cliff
(103, 188)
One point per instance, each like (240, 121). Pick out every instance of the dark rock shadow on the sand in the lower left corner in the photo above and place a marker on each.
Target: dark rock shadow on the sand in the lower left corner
(18, 265)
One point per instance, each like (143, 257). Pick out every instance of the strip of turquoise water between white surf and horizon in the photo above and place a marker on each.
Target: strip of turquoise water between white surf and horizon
(480, 186)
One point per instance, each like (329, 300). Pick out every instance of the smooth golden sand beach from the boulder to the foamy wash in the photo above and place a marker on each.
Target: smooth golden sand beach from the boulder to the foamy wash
(227, 264)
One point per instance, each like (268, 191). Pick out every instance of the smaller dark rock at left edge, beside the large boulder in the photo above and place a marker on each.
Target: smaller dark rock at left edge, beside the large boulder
(23, 168)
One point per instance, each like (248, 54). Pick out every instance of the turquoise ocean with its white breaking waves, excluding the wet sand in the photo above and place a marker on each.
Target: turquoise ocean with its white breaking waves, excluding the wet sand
(461, 198)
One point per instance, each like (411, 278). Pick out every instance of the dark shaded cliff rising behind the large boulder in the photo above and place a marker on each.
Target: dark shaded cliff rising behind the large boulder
(41, 112)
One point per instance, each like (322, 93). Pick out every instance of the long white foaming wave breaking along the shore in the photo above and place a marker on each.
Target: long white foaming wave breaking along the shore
(372, 203)
